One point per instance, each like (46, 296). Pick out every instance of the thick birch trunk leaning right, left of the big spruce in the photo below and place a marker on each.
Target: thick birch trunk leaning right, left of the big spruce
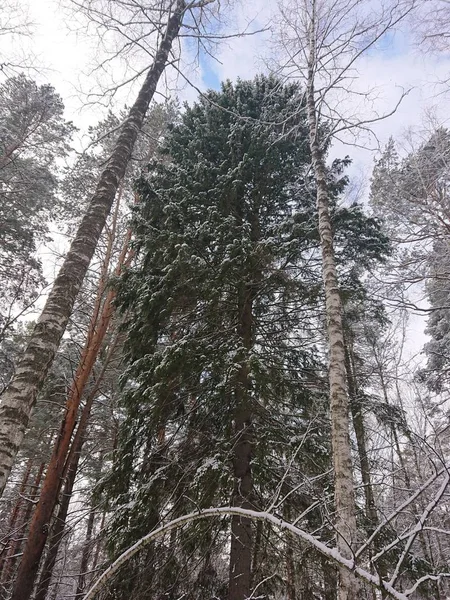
(20, 396)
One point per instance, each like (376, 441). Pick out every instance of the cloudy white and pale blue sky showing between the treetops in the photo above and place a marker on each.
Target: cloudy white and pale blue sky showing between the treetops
(66, 52)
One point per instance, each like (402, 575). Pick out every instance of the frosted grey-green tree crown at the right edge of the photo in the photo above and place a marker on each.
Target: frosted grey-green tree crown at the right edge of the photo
(412, 196)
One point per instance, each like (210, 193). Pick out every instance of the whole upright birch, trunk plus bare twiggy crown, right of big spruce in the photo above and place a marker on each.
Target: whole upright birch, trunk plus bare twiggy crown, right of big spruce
(321, 42)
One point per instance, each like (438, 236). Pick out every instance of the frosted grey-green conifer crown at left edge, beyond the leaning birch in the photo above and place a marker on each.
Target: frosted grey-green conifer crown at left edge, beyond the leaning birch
(33, 136)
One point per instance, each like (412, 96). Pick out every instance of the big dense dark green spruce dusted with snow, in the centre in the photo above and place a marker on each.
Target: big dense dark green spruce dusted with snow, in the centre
(225, 380)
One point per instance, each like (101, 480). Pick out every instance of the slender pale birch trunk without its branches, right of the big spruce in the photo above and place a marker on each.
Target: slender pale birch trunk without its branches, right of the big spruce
(346, 528)
